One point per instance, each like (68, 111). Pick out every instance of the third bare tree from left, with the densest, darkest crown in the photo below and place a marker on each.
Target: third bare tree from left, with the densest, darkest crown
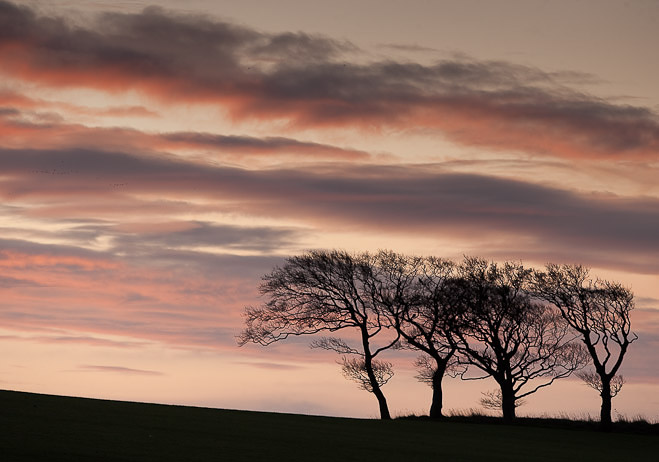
(503, 332)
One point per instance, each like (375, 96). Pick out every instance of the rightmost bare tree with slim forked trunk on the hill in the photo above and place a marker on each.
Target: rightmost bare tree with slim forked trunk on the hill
(599, 311)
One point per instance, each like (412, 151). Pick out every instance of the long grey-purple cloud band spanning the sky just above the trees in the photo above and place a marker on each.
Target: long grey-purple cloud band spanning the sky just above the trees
(397, 199)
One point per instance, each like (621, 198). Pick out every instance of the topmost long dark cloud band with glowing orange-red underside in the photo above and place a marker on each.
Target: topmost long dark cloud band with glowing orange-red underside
(313, 82)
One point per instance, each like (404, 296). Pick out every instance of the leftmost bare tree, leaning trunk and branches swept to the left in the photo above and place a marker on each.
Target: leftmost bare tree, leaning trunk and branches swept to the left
(324, 291)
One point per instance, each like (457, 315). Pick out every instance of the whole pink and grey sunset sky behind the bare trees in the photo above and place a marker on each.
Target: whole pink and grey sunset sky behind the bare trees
(157, 159)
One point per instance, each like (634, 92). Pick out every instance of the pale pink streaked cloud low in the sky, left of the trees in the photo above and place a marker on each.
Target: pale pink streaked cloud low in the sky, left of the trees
(182, 298)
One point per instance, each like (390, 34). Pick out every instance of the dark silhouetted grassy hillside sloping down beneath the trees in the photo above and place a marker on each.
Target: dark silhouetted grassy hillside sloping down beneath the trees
(46, 428)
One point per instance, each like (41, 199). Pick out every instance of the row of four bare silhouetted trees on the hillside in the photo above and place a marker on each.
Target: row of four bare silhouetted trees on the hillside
(524, 327)
